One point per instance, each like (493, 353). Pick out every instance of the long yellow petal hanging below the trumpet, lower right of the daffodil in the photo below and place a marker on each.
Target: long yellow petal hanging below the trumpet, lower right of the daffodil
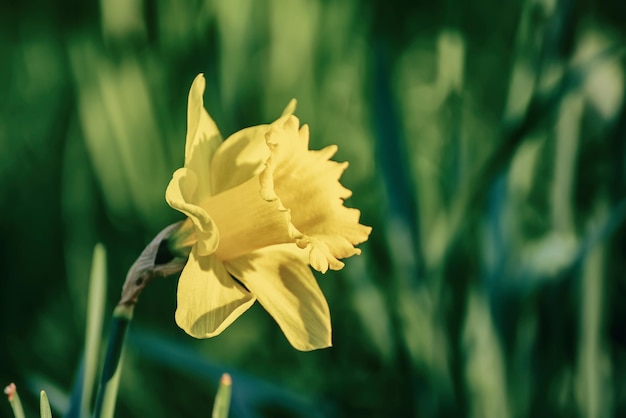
(281, 280)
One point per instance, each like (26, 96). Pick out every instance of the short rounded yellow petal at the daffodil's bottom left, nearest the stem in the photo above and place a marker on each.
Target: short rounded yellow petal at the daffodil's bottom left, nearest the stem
(209, 300)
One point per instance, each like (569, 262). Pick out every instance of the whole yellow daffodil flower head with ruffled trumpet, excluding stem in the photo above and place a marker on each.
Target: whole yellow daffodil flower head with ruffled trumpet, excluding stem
(261, 208)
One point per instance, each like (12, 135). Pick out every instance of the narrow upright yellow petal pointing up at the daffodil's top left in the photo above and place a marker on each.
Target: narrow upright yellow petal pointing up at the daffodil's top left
(203, 137)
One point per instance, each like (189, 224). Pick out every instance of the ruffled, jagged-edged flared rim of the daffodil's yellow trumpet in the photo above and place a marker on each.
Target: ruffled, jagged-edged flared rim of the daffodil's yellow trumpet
(307, 183)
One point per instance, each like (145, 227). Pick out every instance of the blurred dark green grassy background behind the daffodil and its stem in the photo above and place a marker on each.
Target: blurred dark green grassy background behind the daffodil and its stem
(487, 146)
